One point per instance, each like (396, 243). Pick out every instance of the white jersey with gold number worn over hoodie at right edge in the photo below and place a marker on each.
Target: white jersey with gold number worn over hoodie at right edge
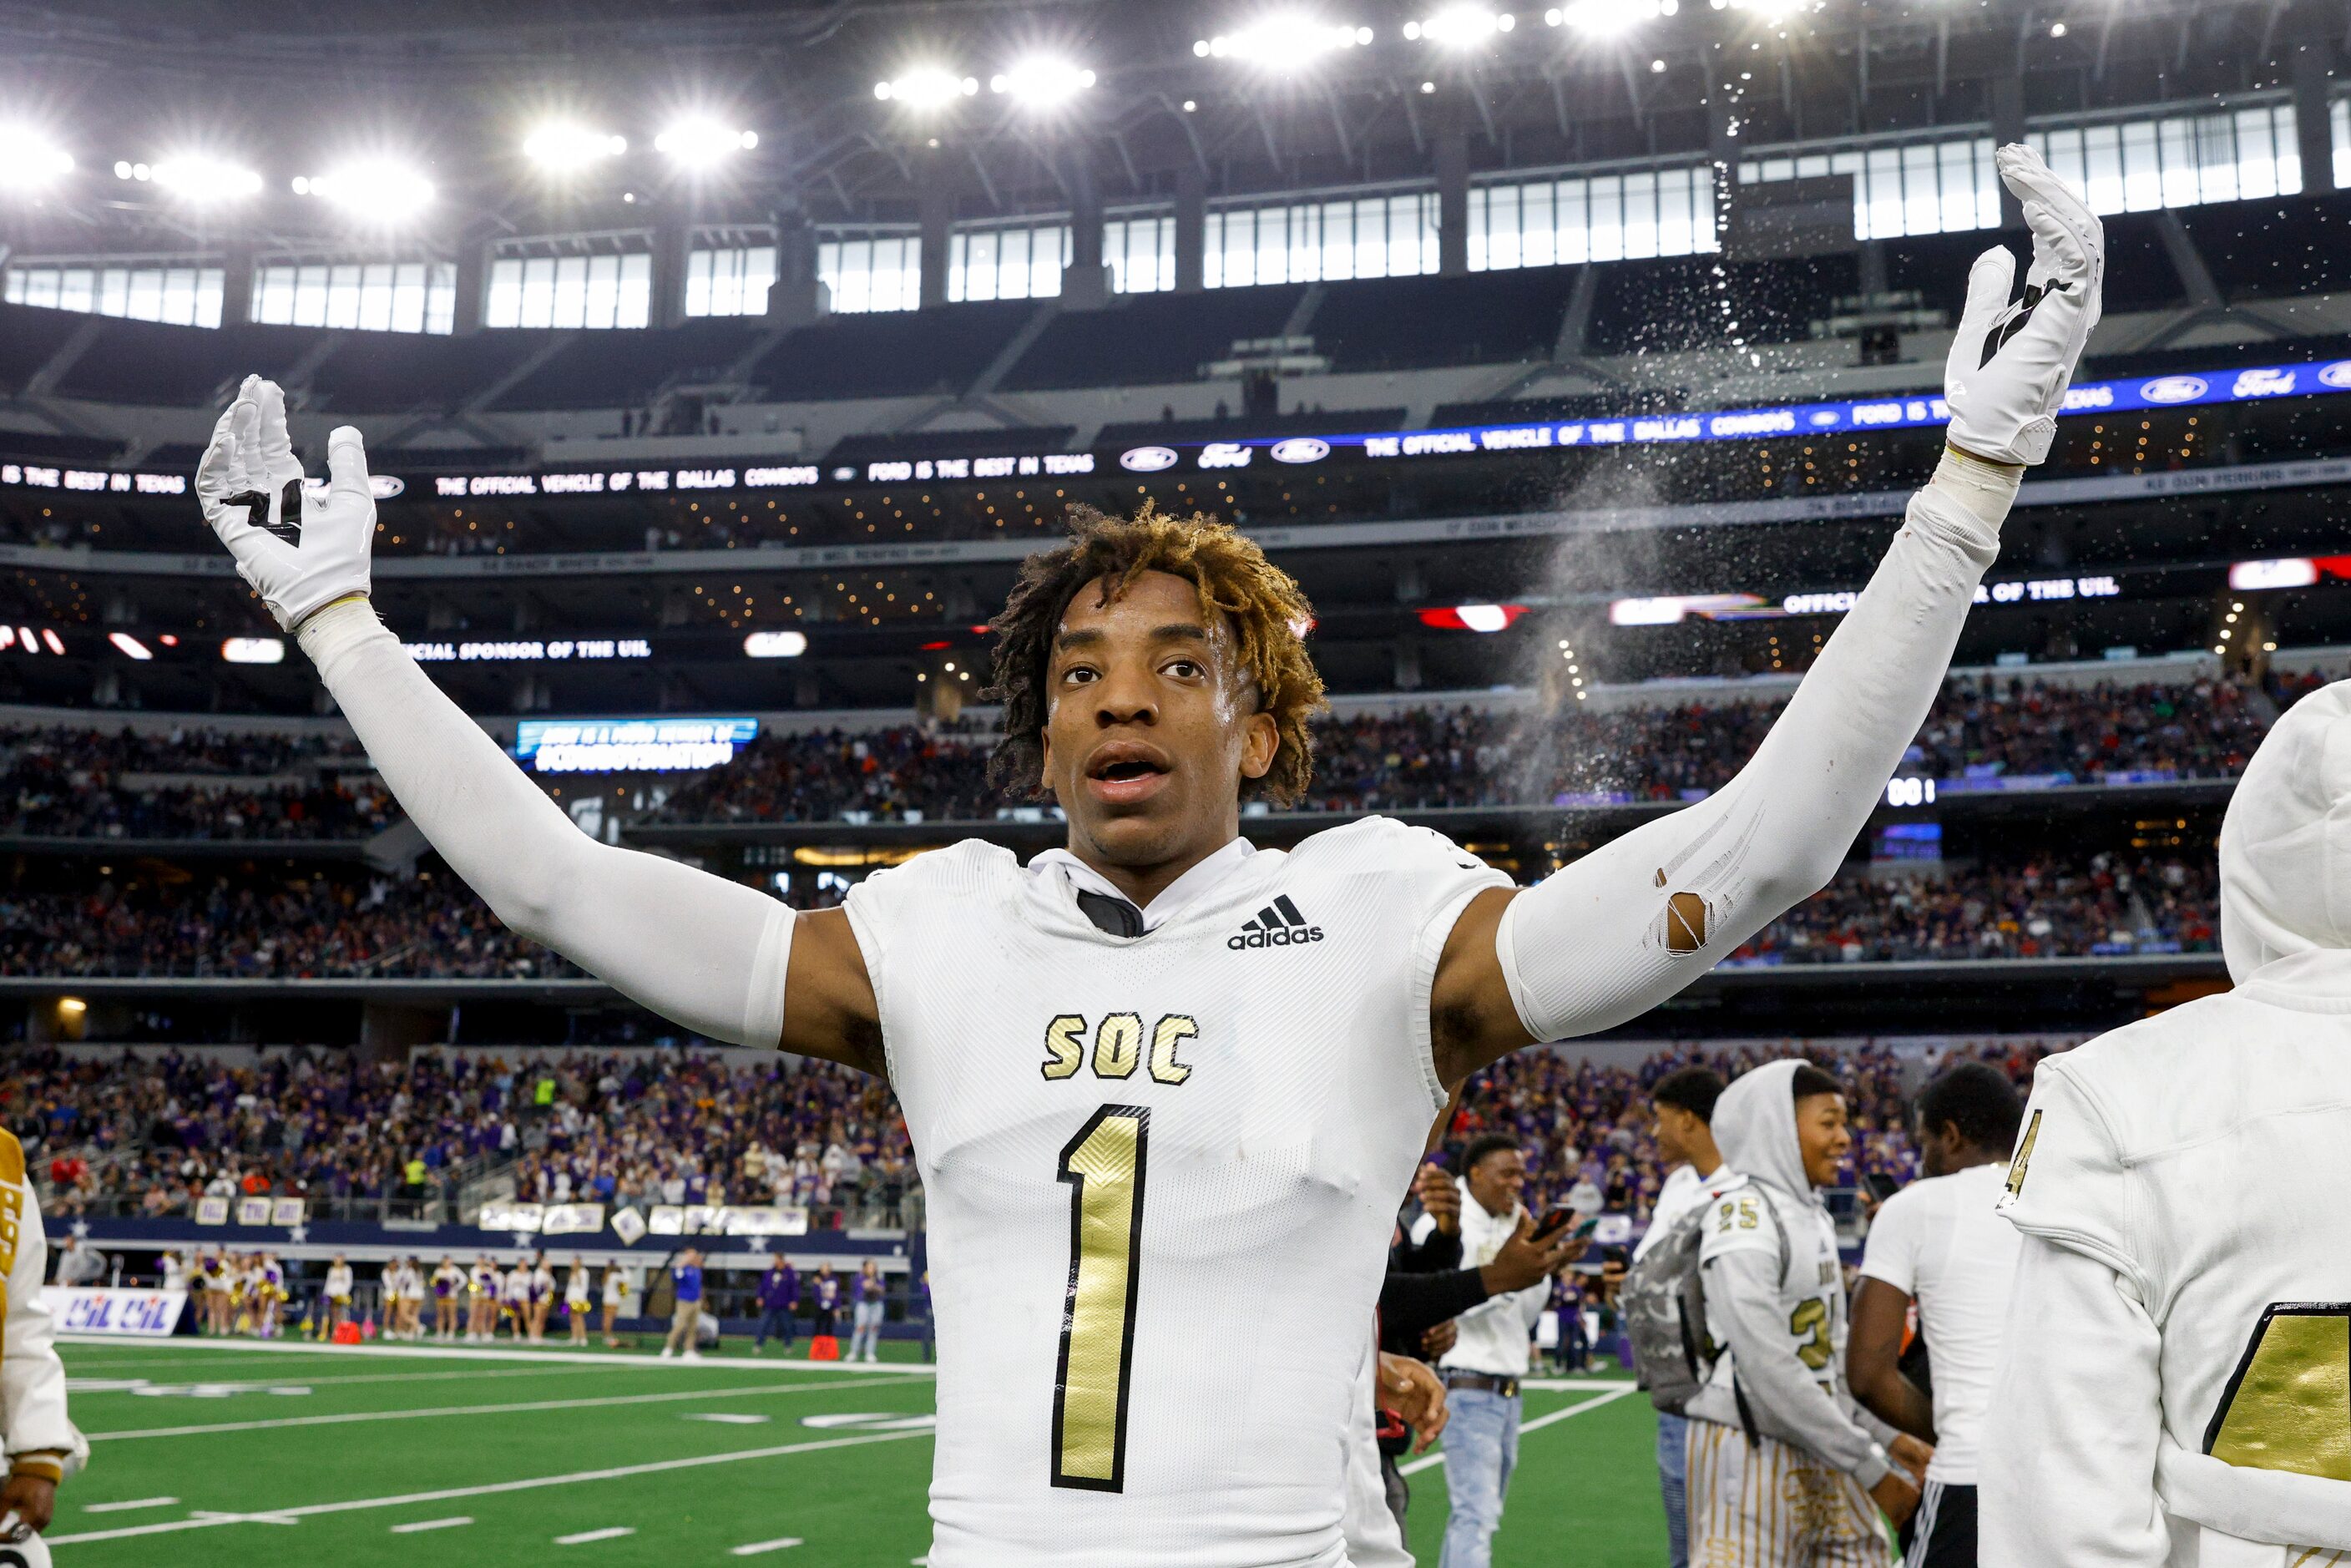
(2202, 1158)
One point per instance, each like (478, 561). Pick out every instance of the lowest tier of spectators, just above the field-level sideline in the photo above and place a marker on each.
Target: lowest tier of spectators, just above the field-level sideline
(159, 1132)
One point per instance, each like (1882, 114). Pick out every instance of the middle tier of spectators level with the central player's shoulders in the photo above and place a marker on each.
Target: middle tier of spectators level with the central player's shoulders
(2002, 909)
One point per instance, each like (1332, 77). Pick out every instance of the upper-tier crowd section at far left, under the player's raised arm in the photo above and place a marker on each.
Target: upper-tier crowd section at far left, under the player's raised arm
(185, 784)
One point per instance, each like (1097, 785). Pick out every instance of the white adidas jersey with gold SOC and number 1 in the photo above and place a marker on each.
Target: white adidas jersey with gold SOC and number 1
(1163, 1177)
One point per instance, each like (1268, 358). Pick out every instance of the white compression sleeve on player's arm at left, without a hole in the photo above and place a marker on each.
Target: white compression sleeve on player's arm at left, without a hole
(690, 946)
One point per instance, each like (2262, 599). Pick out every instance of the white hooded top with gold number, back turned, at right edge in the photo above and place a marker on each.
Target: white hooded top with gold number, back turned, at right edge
(2176, 1381)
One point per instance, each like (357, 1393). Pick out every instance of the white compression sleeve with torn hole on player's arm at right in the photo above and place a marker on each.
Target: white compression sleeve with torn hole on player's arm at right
(1630, 925)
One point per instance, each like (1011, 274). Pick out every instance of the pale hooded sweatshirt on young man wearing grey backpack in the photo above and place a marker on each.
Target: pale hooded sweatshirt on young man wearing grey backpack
(1776, 1289)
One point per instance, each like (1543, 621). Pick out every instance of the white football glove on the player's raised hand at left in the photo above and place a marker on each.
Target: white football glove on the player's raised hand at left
(250, 483)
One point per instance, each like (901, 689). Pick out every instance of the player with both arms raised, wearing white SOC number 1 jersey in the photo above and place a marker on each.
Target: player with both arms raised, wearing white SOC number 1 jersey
(1165, 1085)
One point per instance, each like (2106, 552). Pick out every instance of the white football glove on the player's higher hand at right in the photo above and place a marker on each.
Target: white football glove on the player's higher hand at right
(2014, 361)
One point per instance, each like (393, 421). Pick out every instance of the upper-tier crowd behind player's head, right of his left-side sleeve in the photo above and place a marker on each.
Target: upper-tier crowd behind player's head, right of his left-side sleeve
(1433, 758)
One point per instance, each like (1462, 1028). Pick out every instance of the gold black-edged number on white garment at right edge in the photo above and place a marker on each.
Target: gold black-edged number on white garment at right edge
(2289, 1407)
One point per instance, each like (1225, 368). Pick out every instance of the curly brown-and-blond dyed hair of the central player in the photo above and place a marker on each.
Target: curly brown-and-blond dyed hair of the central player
(1233, 582)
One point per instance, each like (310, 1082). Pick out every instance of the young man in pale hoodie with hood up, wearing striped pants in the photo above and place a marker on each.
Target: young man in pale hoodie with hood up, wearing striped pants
(1786, 1468)
